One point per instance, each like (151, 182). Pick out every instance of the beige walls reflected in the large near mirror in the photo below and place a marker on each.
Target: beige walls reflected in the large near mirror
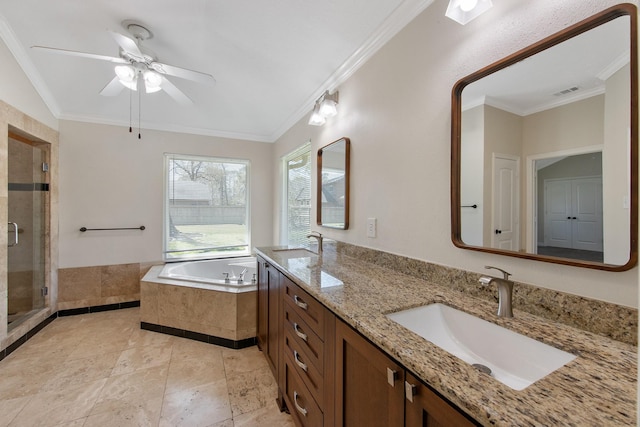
(599, 120)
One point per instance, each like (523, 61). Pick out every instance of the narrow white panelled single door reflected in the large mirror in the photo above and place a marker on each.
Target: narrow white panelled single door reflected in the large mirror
(506, 185)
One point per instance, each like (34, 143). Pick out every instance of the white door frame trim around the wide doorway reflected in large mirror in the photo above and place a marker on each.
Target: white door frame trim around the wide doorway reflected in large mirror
(531, 190)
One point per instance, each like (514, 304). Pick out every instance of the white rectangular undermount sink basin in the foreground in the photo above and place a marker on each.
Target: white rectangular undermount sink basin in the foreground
(515, 360)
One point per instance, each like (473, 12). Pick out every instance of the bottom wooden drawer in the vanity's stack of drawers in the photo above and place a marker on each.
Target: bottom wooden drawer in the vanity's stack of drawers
(301, 403)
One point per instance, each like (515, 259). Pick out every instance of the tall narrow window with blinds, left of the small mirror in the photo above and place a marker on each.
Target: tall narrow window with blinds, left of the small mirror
(297, 183)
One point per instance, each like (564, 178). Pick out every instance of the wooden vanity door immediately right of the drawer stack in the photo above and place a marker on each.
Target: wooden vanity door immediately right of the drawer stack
(369, 385)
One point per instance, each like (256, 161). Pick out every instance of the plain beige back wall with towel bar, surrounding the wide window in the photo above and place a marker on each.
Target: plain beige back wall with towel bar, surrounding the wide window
(110, 178)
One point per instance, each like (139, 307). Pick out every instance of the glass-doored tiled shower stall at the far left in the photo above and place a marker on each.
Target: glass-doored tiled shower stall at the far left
(28, 211)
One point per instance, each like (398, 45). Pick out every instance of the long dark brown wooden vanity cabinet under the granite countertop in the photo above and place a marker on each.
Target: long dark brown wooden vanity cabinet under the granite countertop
(330, 375)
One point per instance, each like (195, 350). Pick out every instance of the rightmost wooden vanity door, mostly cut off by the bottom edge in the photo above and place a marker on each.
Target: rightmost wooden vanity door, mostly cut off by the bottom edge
(425, 408)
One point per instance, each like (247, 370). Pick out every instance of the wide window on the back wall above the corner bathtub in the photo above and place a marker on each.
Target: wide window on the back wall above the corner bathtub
(206, 207)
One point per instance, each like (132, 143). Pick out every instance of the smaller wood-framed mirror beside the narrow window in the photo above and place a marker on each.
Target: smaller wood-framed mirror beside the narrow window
(333, 184)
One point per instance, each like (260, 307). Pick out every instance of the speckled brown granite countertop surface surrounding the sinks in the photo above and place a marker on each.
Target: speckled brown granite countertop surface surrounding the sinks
(597, 388)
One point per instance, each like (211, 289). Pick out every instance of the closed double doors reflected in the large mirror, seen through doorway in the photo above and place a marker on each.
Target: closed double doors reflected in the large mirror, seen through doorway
(573, 213)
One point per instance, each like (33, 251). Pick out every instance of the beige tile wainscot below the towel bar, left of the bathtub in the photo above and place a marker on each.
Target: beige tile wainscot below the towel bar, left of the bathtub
(81, 287)
